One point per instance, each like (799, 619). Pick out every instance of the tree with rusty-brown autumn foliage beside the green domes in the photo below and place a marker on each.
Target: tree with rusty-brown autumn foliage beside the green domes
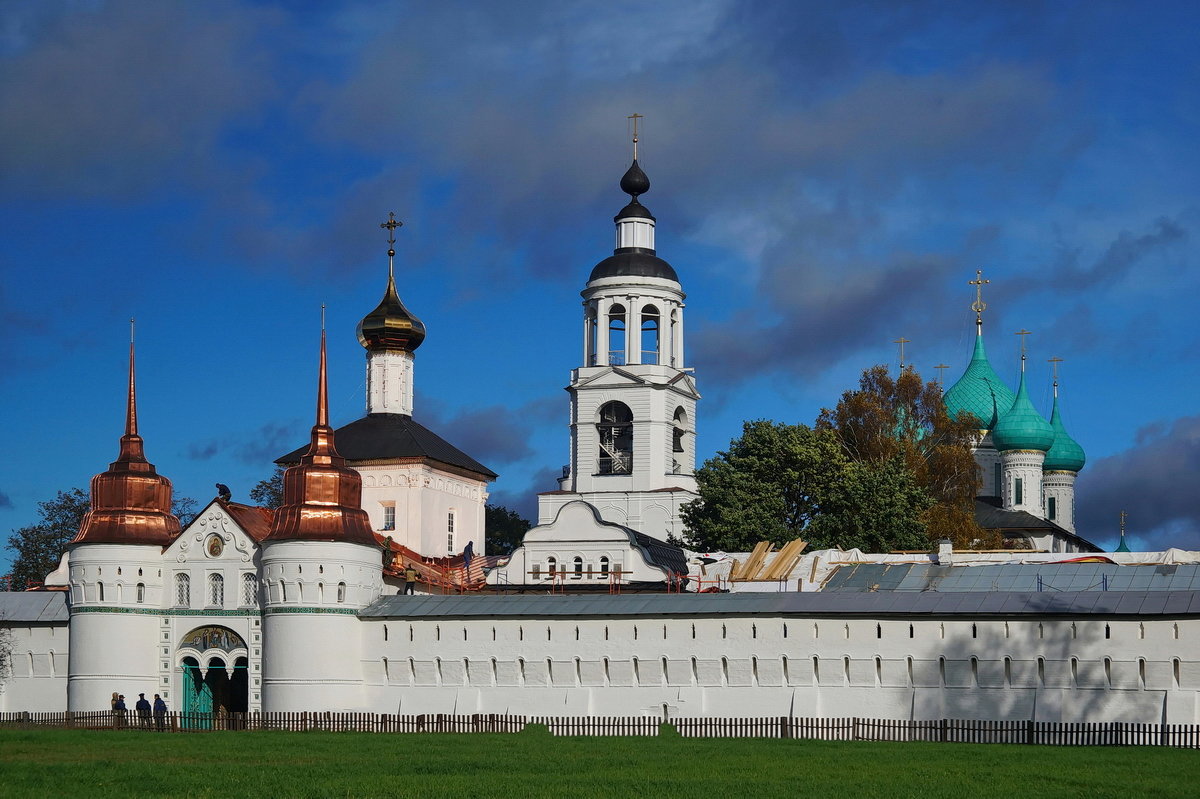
(905, 418)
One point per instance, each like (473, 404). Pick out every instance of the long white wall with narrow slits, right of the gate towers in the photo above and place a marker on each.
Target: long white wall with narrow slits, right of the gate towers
(1084, 670)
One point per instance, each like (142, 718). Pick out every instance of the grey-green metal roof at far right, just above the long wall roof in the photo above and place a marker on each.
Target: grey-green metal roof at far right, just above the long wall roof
(1017, 578)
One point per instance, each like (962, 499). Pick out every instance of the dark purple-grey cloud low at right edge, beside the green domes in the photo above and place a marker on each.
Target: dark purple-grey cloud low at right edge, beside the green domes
(1156, 483)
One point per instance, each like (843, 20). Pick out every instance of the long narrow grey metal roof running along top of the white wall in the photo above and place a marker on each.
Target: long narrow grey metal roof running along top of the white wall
(789, 604)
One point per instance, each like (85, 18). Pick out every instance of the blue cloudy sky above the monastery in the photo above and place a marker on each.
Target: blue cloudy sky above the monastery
(827, 178)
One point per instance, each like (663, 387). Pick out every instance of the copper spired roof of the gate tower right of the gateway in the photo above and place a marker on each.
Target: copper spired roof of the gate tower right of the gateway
(322, 497)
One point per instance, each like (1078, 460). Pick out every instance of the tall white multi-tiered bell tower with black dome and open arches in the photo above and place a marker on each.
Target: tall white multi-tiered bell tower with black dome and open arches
(633, 400)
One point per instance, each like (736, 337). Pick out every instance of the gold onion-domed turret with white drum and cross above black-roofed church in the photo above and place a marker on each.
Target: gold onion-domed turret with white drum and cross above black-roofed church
(391, 335)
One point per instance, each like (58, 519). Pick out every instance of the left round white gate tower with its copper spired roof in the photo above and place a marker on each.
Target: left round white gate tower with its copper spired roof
(116, 575)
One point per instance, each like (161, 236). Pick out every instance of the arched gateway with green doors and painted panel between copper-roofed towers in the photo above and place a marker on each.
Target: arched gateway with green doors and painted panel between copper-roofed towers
(213, 664)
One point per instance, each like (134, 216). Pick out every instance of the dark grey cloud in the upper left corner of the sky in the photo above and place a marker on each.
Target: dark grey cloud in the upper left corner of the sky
(119, 98)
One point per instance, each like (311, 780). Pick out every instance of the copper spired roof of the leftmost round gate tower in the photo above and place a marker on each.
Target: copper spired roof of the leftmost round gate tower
(130, 502)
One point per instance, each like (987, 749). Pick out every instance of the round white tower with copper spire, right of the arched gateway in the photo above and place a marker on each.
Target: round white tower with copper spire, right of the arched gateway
(321, 566)
